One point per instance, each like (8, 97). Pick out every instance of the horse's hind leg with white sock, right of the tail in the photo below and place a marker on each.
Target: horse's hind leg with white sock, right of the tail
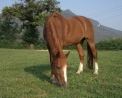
(94, 52)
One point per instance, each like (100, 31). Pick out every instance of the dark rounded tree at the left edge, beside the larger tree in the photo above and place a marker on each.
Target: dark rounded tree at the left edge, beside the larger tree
(8, 29)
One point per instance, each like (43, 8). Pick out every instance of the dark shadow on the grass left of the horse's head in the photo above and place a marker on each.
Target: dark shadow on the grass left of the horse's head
(39, 71)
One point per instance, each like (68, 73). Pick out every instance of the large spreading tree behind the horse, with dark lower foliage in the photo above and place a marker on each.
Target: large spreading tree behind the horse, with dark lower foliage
(32, 13)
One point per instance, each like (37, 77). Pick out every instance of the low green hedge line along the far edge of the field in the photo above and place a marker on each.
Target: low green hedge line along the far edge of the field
(112, 44)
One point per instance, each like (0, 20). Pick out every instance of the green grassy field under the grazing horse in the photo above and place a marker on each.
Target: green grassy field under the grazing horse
(26, 74)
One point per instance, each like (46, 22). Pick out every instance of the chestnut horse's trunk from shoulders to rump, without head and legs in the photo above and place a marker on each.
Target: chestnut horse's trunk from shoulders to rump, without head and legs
(68, 30)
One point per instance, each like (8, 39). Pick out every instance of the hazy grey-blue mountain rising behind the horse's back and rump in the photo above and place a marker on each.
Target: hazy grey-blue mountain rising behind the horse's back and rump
(101, 32)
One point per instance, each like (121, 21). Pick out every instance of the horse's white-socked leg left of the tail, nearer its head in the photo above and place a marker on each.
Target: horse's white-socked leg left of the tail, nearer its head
(81, 56)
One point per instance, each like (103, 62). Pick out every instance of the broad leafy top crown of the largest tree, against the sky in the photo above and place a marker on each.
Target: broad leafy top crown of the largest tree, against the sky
(31, 11)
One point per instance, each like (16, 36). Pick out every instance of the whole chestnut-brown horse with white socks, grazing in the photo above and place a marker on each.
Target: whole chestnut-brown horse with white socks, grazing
(58, 32)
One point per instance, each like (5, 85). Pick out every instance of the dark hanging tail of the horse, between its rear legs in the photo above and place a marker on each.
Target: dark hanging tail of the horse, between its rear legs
(89, 57)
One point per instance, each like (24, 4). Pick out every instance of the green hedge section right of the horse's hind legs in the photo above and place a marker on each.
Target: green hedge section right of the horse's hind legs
(112, 44)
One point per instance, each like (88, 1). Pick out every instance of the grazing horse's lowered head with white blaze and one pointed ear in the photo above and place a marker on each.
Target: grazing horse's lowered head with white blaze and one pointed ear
(59, 70)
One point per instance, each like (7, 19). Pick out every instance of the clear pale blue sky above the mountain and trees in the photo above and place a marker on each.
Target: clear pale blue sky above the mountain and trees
(106, 12)
